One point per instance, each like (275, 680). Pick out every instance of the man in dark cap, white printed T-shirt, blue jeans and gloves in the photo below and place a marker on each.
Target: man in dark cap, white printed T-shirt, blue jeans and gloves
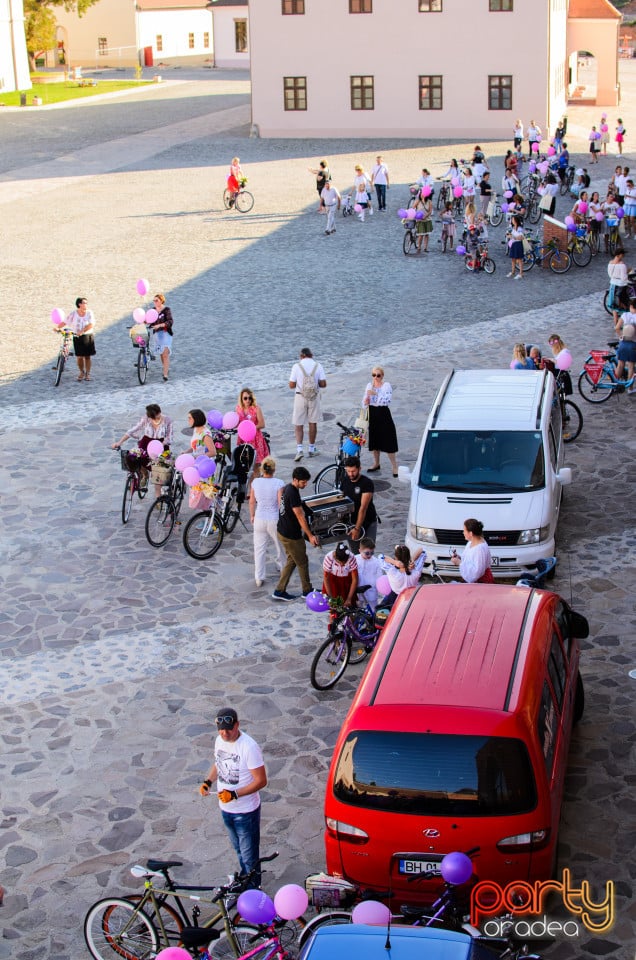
(239, 772)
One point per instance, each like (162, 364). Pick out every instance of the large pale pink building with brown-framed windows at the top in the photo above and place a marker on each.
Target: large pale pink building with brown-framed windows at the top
(408, 68)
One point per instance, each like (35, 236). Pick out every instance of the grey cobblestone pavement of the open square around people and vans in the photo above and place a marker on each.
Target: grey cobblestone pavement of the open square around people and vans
(115, 656)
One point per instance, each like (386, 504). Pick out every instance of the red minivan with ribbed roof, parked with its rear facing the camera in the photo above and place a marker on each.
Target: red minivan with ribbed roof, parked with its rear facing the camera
(457, 738)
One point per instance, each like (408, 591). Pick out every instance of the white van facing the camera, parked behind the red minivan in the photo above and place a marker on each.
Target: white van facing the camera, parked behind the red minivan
(492, 449)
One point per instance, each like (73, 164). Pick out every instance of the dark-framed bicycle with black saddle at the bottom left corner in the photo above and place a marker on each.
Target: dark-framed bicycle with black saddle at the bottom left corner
(136, 927)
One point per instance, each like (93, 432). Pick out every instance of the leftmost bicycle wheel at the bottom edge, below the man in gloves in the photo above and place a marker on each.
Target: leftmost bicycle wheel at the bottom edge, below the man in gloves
(116, 926)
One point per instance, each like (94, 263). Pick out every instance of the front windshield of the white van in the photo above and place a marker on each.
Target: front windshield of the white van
(499, 460)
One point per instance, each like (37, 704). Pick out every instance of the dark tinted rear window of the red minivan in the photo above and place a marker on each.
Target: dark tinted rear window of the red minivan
(435, 774)
